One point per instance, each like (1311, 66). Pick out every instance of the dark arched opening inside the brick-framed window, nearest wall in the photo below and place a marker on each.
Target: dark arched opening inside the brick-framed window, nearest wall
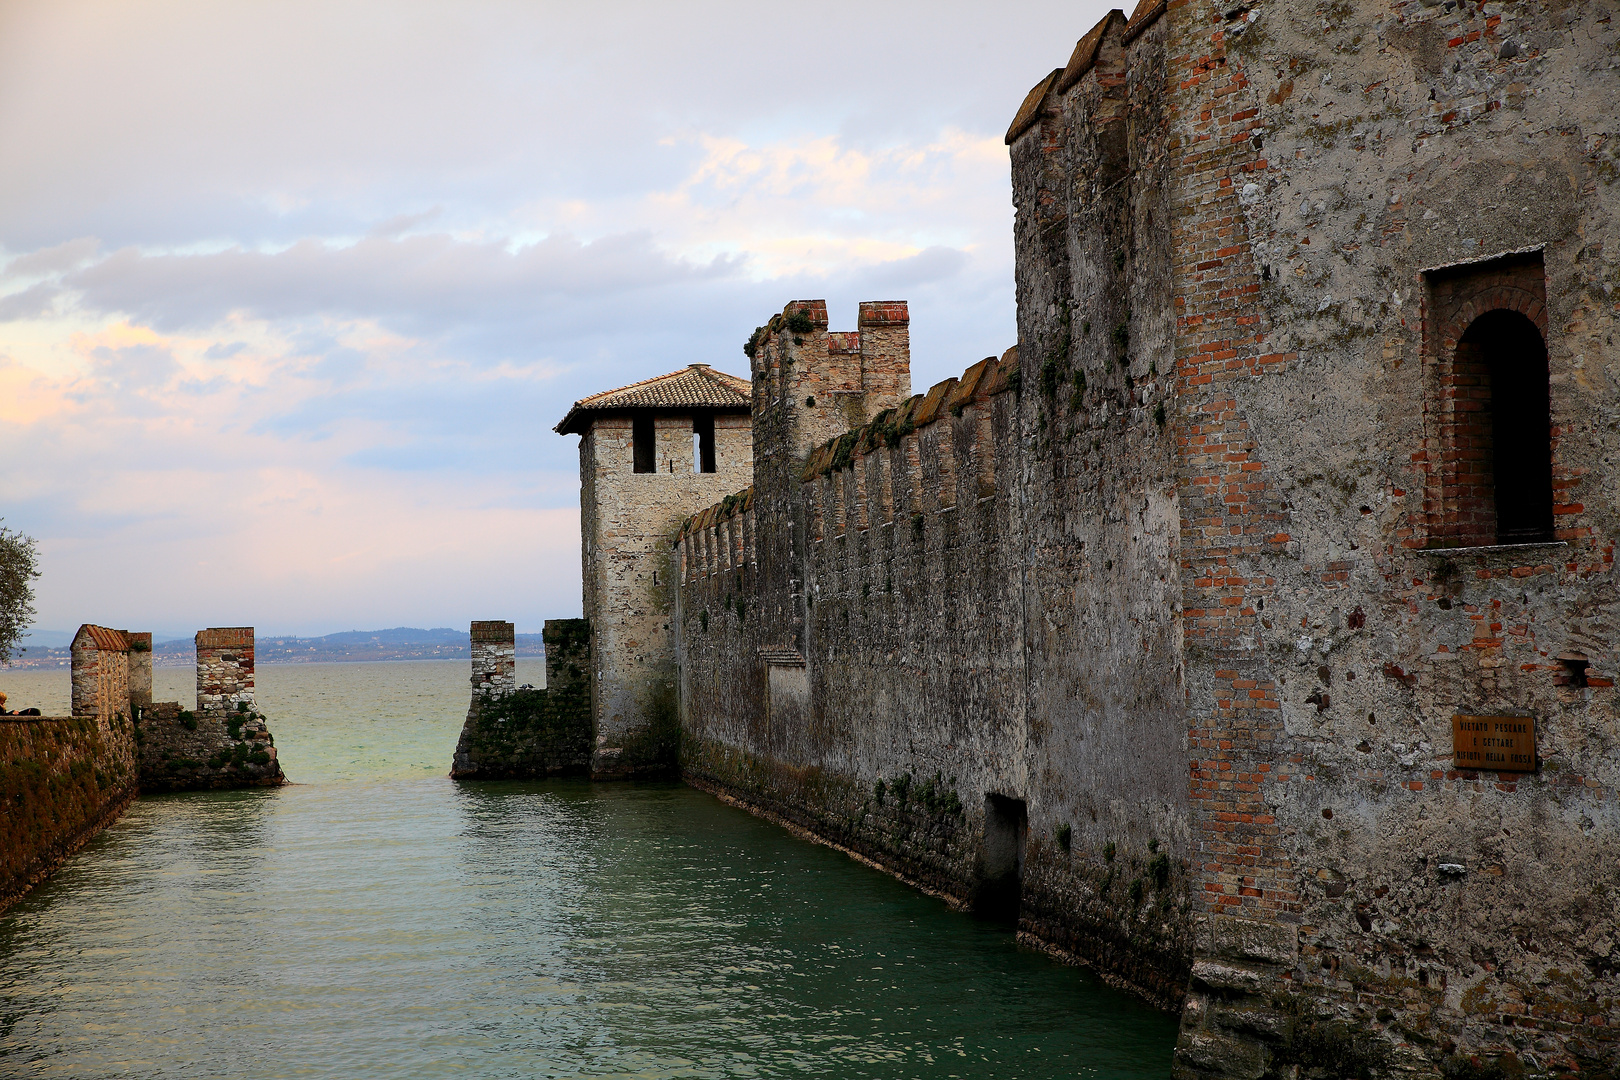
(1506, 448)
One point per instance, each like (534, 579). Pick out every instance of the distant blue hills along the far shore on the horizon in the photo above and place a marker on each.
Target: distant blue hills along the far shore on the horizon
(401, 644)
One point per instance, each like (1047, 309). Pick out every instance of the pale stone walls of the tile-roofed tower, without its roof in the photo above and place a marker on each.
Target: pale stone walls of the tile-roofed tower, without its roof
(626, 522)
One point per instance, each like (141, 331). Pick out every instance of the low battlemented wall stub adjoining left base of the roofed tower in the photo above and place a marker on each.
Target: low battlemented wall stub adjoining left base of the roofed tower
(524, 733)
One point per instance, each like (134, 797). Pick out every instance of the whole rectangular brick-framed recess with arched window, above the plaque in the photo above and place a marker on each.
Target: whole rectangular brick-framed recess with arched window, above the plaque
(1490, 441)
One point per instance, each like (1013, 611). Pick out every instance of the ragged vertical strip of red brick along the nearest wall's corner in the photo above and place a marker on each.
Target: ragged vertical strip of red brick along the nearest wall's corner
(1234, 521)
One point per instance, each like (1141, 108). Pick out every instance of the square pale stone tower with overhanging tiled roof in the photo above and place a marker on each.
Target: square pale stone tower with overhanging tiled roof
(650, 454)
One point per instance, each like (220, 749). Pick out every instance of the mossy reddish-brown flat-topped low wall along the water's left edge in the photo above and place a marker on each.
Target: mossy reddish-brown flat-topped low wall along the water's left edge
(62, 781)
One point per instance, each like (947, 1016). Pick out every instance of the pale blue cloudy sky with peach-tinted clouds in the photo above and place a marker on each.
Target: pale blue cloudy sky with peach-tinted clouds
(292, 294)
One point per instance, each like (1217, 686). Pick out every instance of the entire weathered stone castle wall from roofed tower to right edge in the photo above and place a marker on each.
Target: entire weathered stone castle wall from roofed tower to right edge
(1195, 582)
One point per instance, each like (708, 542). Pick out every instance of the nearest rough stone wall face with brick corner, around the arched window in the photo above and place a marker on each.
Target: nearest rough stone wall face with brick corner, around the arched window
(1345, 181)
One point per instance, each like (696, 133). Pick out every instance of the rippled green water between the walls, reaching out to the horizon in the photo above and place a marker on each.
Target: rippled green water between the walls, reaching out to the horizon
(378, 921)
